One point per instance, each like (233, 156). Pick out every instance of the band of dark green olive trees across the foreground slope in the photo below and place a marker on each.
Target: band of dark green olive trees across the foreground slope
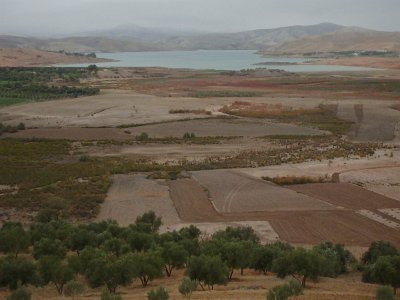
(70, 257)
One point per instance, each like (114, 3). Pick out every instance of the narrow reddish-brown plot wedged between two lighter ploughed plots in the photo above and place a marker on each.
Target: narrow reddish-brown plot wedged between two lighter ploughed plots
(191, 201)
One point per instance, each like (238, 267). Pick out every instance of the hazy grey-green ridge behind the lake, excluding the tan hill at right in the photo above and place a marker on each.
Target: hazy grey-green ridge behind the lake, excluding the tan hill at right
(138, 41)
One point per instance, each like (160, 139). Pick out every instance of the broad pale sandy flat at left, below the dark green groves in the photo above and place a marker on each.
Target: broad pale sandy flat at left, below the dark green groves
(110, 108)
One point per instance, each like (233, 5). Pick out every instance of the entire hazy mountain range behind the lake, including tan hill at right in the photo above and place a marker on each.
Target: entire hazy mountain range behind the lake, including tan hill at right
(294, 39)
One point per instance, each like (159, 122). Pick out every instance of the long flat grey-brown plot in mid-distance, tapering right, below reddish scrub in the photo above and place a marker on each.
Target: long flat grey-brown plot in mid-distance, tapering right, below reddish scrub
(223, 127)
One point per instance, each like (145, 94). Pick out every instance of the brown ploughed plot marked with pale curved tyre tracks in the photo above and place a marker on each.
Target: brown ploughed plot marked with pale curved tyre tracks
(235, 192)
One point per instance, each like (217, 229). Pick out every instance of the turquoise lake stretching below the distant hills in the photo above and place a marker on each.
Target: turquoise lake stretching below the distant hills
(210, 59)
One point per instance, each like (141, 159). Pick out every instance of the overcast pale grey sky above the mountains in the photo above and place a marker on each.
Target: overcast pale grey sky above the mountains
(32, 17)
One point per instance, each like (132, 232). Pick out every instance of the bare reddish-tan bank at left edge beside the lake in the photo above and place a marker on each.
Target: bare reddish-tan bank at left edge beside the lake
(30, 57)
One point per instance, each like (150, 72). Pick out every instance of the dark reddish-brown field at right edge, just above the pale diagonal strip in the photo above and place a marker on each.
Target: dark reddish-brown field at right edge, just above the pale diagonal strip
(346, 195)
